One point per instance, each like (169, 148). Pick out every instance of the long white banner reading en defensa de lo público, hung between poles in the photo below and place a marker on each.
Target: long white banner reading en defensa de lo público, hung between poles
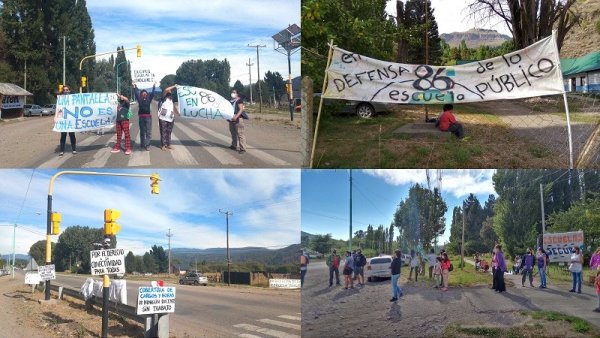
(533, 71)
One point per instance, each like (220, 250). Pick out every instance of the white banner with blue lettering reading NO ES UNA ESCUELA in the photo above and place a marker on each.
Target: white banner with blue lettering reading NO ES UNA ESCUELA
(85, 112)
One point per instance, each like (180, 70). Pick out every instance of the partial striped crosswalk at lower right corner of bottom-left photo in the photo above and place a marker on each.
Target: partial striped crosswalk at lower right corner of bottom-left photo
(283, 326)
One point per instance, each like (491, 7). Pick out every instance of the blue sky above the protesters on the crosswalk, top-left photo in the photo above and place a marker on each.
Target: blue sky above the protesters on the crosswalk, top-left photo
(176, 31)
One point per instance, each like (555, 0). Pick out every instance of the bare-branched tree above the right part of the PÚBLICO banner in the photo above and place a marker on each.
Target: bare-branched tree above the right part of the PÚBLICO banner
(528, 21)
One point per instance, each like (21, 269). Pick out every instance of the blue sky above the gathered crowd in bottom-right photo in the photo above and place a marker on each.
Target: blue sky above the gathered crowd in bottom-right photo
(376, 194)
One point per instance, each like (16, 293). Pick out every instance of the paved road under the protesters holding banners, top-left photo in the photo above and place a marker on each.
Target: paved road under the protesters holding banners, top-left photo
(272, 142)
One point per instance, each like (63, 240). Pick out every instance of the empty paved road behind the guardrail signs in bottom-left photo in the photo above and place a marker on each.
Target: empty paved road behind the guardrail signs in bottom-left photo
(223, 312)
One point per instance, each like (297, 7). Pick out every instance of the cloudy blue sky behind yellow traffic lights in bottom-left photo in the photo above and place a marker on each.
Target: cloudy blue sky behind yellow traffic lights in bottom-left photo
(265, 205)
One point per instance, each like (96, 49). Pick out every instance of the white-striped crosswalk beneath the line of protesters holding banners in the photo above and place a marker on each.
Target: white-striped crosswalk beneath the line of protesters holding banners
(194, 145)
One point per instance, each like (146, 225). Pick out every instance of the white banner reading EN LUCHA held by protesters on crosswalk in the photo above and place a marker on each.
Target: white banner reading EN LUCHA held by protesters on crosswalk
(199, 103)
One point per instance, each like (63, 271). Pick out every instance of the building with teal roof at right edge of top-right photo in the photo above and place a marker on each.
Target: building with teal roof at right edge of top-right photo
(582, 74)
